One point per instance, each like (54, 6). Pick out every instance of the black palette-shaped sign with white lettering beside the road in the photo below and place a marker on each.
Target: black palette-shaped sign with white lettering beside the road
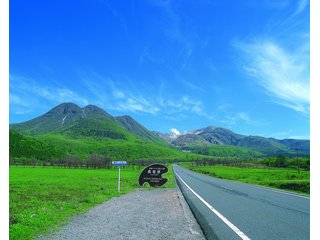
(152, 175)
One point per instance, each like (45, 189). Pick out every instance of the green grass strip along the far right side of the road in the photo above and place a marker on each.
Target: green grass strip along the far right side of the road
(288, 179)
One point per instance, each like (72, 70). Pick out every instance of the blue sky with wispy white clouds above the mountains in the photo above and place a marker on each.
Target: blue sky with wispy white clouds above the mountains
(243, 65)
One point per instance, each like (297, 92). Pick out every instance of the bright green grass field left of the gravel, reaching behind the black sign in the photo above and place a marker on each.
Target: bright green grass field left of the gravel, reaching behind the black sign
(44, 198)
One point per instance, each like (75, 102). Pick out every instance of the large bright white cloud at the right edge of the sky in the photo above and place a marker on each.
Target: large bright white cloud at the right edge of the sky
(283, 74)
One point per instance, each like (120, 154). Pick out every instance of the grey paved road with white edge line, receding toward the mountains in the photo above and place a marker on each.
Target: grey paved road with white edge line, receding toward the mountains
(232, 210)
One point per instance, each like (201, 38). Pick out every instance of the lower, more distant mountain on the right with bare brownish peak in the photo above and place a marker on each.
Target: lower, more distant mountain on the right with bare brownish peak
(203, 139)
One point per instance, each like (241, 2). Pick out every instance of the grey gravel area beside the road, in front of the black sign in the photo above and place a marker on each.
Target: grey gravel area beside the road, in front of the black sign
(144, 215)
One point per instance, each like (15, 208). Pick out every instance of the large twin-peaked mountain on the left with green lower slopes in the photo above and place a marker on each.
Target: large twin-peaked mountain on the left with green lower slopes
(72, 130)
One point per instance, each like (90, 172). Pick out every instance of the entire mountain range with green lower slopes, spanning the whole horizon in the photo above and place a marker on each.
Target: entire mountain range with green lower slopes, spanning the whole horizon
(68, 129)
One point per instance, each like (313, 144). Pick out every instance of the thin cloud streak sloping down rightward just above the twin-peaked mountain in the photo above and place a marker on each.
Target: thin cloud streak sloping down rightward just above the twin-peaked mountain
(140, 99)
